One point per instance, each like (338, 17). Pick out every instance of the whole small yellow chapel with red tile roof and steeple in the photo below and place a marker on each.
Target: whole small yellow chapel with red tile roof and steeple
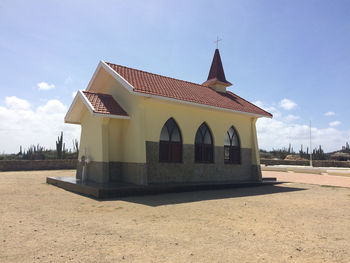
(143, 128)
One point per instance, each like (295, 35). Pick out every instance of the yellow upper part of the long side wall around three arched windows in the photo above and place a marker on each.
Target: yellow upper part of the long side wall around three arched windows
(189, 118)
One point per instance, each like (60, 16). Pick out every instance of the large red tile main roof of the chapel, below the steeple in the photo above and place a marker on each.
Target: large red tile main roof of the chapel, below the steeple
(149, 83)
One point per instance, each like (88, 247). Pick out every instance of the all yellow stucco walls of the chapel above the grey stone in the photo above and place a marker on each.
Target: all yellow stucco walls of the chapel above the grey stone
(120, 140)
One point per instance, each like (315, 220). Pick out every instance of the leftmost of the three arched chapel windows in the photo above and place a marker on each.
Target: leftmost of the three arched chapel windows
(170, 143)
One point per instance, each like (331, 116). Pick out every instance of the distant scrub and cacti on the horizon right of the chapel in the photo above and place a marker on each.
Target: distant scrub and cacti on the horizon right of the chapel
(317, 154)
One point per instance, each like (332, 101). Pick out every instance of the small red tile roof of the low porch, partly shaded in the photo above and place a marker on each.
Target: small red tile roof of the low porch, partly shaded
(104, 103)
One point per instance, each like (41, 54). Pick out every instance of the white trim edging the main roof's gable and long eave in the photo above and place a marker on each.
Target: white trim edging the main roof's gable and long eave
(130, 88)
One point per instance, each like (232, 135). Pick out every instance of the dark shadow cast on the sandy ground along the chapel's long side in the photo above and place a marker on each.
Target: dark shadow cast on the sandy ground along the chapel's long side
(197, 196)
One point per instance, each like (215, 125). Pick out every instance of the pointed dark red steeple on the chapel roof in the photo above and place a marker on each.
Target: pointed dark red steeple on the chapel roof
(216, 78)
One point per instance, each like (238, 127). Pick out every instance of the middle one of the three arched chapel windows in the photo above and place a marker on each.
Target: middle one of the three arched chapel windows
(204, 148)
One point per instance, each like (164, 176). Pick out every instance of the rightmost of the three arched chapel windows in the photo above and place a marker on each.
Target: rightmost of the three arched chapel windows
(232, 147)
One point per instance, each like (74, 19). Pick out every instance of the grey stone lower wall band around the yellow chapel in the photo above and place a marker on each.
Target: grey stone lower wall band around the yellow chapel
(186, 172)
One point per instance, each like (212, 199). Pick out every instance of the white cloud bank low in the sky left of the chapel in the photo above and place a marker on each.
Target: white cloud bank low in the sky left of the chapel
(24, 125)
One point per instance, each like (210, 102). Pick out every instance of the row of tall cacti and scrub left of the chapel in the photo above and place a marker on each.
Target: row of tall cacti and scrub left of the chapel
(38, 152)
